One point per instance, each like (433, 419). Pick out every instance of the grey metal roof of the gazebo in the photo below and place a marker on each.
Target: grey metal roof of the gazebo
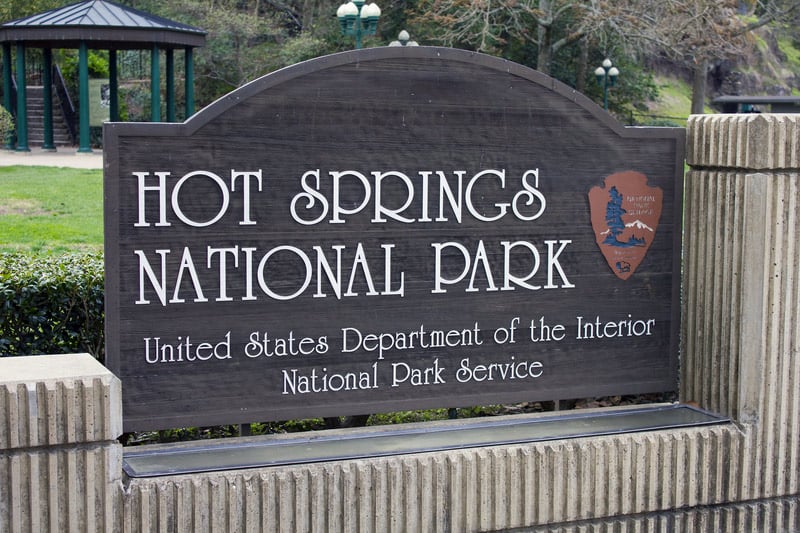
(100, 24)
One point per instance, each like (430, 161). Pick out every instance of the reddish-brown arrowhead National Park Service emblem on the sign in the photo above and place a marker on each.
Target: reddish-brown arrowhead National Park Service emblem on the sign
(625, 214)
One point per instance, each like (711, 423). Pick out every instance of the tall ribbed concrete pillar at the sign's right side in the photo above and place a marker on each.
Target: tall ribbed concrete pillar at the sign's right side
(741, 304)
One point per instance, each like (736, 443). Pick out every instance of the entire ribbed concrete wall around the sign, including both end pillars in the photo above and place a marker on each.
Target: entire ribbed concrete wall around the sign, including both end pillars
(60, 468)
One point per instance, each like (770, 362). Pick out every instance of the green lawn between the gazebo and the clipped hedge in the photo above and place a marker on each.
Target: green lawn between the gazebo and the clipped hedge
(50, 210)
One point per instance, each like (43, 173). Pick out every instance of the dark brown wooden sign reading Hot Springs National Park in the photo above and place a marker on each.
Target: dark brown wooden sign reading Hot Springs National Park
(389, 229)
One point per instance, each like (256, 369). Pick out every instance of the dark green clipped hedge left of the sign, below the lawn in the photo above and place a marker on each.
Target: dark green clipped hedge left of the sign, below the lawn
(51, 304)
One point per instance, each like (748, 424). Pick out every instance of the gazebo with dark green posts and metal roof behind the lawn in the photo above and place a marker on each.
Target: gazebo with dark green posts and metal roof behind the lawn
(97, 25)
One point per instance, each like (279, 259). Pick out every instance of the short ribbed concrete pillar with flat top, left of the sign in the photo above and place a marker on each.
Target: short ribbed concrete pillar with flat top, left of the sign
(60, 465)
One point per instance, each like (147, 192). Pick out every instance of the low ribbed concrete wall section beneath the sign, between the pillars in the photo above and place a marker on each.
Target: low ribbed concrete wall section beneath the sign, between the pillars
(482, 489)
